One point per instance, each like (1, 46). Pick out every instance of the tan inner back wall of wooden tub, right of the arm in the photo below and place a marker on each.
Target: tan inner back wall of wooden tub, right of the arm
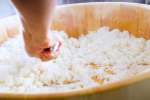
(81, 18)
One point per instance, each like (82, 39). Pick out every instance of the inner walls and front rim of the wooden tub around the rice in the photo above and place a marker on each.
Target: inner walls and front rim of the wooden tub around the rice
(77, 19)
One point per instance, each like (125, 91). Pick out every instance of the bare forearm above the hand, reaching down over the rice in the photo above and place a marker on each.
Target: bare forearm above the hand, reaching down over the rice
(35, 16)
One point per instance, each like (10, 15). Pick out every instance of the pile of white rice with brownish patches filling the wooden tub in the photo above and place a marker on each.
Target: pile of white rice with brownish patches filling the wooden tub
(99, 58)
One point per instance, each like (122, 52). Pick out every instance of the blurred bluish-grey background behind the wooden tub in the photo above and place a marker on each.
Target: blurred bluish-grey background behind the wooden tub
(6, 8)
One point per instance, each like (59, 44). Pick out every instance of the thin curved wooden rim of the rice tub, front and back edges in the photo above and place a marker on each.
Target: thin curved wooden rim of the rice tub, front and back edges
(98, 89)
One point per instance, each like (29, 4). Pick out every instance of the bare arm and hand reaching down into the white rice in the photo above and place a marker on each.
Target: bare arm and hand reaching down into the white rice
(36, 16)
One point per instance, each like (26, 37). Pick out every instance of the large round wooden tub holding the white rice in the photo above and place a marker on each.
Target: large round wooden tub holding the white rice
(78, 19)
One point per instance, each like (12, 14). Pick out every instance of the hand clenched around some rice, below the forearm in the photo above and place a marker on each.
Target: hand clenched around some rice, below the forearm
(42, 48)
